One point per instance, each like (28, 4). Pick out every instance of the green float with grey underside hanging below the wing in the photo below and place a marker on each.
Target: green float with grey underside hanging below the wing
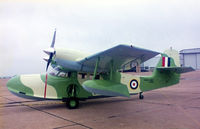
(105, 87)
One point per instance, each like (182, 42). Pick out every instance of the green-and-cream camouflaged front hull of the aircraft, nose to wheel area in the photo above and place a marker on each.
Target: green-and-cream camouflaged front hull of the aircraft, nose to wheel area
(34, 85)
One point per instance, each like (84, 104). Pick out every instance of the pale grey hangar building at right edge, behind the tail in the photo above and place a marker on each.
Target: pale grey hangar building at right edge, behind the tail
(190, 58)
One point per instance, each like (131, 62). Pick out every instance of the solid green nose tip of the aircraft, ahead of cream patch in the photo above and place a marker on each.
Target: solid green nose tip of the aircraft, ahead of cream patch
(16, 86)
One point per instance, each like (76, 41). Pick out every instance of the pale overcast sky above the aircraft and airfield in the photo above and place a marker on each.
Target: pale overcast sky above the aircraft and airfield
(27, 26)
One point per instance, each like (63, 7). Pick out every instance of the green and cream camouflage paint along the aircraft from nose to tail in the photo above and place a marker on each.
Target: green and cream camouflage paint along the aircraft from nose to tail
(57, 88)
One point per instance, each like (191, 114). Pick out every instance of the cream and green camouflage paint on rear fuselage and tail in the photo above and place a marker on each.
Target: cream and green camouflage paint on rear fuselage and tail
(157, 80)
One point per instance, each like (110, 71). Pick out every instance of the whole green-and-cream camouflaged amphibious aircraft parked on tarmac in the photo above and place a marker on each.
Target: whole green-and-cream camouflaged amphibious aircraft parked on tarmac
(79, 76)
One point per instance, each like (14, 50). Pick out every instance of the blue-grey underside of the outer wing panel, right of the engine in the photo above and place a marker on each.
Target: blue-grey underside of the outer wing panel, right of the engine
(119, 55)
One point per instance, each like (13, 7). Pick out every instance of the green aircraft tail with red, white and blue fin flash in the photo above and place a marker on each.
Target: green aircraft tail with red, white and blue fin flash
(165, 74)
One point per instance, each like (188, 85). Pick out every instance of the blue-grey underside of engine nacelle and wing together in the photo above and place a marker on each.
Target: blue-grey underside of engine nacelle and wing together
(118, 55)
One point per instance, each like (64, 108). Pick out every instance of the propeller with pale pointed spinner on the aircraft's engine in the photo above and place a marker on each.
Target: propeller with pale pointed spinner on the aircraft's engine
(50, 51)
